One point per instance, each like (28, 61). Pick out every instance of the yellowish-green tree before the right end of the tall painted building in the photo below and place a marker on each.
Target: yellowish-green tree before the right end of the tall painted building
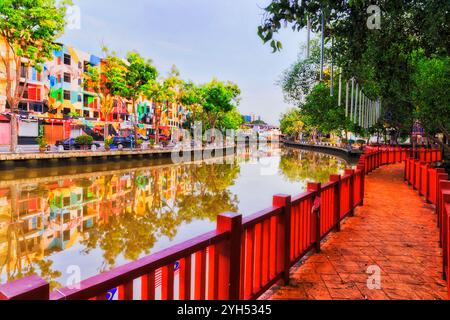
(108, 82)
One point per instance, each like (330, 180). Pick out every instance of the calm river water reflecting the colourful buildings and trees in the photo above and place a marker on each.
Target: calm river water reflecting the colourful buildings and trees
(96, 217)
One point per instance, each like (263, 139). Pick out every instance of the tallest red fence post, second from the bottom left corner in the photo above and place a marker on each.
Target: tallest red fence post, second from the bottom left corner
(232, 222)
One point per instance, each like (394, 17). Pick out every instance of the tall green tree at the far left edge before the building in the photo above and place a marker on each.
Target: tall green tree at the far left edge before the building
(30, 29)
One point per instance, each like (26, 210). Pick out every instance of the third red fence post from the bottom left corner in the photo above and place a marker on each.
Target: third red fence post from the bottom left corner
(285, 202)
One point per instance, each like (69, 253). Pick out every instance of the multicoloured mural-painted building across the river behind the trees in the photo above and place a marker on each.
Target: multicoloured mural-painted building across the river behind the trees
(59, 105)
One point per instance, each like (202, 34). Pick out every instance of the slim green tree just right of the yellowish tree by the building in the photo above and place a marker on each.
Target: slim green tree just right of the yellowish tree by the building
(139, 73)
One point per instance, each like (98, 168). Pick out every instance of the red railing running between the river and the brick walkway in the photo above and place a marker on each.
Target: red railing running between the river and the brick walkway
(241, 259)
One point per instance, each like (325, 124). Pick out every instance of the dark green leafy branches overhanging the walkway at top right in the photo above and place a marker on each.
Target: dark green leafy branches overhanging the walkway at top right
(379, 59)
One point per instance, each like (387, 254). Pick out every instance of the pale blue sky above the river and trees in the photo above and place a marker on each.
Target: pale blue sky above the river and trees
(203, 38)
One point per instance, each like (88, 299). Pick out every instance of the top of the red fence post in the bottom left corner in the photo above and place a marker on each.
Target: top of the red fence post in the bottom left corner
(29, 288)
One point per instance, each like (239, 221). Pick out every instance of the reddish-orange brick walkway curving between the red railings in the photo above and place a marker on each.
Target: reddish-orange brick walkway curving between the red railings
(395, 230)
